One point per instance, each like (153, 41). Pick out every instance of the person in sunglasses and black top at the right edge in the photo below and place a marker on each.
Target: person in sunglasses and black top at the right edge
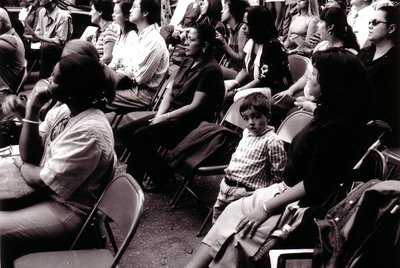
(381, 60)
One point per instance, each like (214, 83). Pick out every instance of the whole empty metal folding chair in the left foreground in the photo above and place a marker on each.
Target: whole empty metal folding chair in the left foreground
(121, 203)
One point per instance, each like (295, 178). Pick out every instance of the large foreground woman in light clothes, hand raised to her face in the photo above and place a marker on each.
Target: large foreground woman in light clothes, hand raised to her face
(67, 159)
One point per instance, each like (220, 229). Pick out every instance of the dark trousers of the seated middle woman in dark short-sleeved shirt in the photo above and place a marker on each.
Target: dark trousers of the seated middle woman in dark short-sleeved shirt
(145, 143)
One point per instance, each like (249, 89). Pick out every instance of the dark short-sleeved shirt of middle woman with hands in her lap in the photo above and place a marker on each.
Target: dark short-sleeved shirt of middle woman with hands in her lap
(205, 77)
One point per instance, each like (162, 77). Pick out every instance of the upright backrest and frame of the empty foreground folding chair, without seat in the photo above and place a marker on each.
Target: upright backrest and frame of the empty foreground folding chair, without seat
(122, 203)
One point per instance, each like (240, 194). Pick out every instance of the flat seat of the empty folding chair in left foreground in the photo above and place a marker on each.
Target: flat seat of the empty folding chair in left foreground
(73, 258)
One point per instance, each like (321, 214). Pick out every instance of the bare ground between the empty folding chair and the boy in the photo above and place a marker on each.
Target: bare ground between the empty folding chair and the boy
(167, 237)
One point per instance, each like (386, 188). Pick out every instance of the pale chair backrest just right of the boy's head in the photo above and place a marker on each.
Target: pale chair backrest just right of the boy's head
(293, 124)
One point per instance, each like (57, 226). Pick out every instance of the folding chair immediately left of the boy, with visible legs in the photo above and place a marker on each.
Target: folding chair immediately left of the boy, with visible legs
(233, 121)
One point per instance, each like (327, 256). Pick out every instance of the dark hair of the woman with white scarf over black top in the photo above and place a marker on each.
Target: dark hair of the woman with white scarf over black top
(261, 24)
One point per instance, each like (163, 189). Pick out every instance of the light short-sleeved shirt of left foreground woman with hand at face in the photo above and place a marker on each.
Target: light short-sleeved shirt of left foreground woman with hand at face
(79, 151)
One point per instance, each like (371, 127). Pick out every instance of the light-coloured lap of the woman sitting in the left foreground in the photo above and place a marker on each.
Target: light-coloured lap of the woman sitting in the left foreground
(46, 225)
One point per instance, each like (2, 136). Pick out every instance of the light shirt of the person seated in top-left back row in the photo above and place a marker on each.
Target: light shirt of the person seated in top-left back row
(56, 25)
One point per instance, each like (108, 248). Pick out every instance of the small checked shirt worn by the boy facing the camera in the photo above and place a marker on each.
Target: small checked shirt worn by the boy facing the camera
(258, 161)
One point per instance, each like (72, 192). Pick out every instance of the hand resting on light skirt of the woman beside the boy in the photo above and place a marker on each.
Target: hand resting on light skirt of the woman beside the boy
(249, 224)
